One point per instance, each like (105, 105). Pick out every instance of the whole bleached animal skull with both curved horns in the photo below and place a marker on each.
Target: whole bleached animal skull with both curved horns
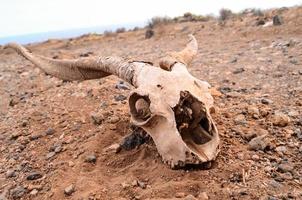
(170, 104)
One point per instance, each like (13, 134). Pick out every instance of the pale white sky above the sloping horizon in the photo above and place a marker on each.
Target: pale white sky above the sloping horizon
(20, 17)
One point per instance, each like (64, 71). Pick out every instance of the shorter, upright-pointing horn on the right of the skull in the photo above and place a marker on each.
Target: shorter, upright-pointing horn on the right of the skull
(185, 56)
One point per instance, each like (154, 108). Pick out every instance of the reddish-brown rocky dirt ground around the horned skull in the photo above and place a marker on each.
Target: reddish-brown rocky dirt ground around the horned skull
(49, 141)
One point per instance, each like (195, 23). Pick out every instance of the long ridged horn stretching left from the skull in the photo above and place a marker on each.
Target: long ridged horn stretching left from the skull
(80, 69)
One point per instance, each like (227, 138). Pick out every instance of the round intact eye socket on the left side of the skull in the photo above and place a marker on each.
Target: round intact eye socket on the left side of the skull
(140, 107)
